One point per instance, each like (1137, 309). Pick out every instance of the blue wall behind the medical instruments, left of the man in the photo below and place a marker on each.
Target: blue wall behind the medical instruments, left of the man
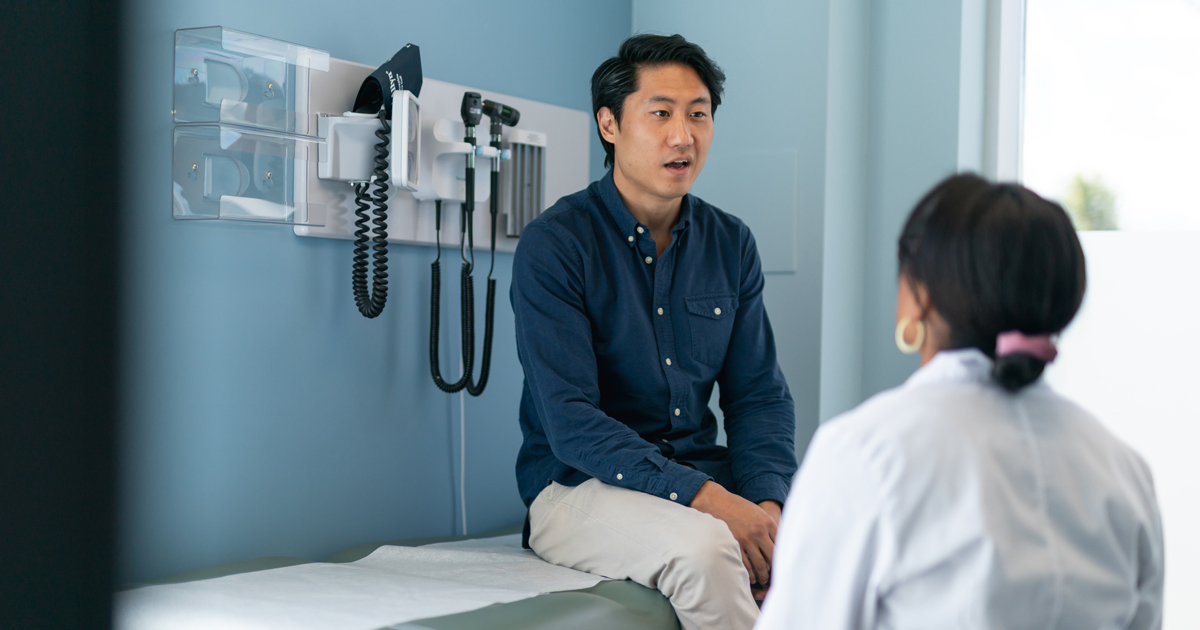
(262, 415)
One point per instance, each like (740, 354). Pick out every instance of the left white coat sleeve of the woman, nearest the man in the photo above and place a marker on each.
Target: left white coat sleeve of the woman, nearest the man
(827, 562)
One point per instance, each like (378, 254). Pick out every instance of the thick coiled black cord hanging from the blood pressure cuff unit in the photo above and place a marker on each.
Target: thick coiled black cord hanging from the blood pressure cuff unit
(373, 302)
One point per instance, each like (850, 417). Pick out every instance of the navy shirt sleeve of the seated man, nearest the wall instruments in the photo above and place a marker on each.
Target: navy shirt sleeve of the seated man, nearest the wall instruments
(555, 347)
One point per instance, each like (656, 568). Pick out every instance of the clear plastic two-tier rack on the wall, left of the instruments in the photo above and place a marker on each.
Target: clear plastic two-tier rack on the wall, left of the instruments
(244, 135)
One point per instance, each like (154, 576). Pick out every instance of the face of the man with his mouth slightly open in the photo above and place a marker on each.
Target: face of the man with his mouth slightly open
(664, 133)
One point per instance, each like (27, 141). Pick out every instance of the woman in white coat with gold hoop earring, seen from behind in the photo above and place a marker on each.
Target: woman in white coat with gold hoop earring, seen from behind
(974, 496)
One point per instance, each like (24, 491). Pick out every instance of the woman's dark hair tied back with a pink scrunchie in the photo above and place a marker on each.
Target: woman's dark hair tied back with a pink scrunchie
(994, 259)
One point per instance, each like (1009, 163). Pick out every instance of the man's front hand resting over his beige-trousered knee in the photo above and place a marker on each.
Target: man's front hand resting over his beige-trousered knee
(752, 527)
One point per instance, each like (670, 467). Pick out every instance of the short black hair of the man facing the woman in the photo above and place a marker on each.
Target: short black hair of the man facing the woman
(617, 77)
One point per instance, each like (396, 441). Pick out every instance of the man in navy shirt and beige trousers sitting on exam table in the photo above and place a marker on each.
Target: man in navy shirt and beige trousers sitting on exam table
(632, 299)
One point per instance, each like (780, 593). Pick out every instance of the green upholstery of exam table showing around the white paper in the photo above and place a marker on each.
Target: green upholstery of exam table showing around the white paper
(608, 605)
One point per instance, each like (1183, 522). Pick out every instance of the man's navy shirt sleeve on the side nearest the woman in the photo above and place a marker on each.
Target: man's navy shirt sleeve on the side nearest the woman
(760, 415)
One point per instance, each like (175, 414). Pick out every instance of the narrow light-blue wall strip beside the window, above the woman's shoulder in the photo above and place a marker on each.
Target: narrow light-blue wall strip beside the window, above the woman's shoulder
(923, 121)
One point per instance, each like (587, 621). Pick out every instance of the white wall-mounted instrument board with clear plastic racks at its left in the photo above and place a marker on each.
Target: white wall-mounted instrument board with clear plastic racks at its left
(247, 105)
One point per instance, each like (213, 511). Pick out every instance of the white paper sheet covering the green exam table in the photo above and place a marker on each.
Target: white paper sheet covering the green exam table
(392, 586)
